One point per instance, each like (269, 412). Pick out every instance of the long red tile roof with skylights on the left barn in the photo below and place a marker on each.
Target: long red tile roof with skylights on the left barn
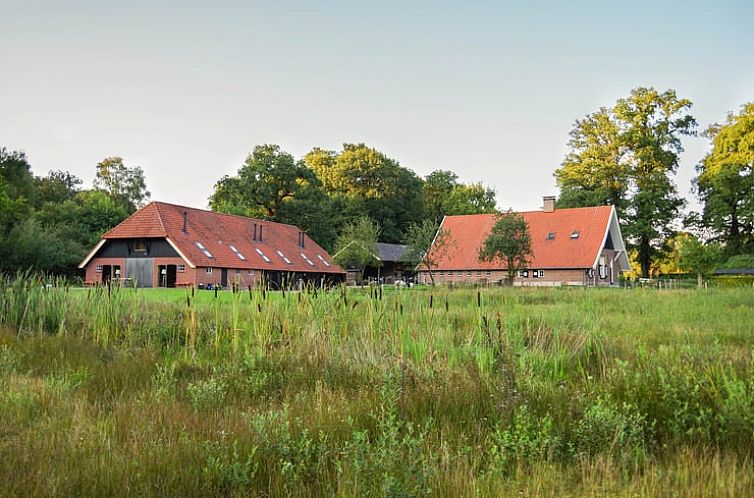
(217, 232)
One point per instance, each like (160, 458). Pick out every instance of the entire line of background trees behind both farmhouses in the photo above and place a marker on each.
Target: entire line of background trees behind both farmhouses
(626, 155)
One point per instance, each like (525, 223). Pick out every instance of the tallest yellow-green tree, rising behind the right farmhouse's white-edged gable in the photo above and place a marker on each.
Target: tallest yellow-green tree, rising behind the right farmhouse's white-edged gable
(626, 156)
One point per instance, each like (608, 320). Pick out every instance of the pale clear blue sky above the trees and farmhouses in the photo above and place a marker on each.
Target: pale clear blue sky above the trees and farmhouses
(489, 90)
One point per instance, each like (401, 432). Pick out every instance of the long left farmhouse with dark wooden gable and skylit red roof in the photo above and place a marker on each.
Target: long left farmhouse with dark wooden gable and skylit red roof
(165, 245)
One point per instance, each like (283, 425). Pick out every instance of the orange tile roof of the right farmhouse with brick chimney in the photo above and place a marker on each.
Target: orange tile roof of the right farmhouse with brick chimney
(468, 232)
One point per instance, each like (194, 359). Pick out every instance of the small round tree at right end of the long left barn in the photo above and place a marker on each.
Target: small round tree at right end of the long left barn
(355, 245)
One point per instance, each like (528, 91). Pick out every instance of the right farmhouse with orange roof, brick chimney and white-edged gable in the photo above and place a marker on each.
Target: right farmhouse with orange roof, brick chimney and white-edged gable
(579, 246)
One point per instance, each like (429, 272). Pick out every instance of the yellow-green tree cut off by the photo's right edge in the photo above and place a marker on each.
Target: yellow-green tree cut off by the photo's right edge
(725, 181)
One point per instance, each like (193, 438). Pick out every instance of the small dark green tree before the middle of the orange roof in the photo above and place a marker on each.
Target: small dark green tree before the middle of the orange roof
(509, 242)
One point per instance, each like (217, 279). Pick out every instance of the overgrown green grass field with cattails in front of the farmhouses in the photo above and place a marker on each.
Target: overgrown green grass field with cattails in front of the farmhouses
(421, 392)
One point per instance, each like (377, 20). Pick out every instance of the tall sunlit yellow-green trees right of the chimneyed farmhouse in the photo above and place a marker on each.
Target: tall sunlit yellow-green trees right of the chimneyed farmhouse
(627, 155)
